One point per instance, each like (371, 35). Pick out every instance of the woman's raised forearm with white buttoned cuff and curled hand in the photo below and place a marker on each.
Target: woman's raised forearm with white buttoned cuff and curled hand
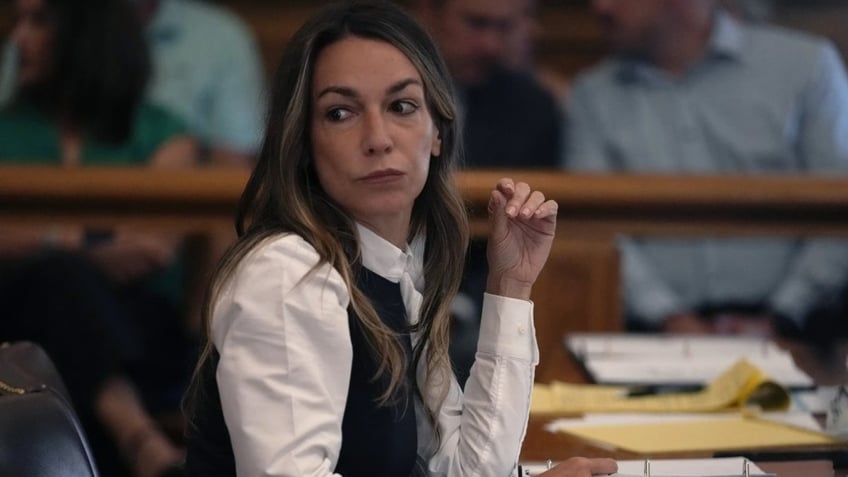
(482, 430)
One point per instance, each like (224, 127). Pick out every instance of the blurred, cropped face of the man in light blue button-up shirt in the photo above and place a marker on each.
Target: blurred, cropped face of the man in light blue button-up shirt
(631, 26)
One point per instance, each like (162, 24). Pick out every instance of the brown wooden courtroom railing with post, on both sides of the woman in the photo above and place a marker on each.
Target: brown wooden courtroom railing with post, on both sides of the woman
(577, 291)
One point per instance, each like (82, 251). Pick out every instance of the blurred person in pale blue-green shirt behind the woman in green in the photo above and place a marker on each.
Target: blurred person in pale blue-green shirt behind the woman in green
(206, 69)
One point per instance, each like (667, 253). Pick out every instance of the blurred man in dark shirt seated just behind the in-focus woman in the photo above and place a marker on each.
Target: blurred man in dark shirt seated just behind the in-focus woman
(510, 120)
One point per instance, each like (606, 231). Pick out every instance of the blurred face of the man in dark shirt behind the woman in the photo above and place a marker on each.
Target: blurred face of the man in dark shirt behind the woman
(473, 35)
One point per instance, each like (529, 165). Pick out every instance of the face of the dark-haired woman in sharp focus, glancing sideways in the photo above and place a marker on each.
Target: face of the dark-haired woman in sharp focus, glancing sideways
(371, 131)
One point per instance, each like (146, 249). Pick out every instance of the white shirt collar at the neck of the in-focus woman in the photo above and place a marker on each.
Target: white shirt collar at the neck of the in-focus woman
(385, 259)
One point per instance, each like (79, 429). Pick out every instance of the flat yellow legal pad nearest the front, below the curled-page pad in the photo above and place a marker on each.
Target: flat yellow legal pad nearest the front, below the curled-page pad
(701, 435)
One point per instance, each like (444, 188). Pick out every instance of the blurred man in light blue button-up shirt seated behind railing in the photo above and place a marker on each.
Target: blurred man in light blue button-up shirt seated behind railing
(691, 90)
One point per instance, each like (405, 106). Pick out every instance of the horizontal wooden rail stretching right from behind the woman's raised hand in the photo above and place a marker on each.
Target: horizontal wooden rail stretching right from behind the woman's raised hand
(602, 206)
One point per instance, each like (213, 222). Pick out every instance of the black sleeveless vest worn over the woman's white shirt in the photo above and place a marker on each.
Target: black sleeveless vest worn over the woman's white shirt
(376, 441)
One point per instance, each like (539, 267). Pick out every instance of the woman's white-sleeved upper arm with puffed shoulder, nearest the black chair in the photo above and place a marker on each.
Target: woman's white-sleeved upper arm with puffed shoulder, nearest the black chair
(281, 330)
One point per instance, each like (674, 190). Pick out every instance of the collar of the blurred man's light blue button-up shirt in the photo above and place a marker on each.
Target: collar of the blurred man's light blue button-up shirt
(726, 41)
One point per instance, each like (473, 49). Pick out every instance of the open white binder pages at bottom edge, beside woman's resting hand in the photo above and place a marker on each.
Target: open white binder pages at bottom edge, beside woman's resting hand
(723, 467)
